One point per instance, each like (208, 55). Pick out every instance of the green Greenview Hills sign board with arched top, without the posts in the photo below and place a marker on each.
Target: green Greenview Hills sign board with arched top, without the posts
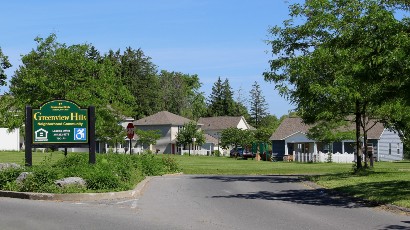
(60, 121)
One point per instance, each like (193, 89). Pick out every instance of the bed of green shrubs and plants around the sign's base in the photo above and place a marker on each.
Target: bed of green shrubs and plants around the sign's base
(112, 172)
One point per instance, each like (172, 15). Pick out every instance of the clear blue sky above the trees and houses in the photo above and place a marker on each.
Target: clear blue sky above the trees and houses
(210, 38)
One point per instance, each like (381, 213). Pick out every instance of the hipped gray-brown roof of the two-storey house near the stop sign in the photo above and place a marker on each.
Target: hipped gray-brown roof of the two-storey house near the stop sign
(163, 118)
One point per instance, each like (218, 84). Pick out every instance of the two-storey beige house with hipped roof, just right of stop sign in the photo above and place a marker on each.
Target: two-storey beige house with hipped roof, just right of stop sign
(168, 124)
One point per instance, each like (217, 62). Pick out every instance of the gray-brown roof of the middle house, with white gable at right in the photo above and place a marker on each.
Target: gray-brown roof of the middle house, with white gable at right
(221, 122)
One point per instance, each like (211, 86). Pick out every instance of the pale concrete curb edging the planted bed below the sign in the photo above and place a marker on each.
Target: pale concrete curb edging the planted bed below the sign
(137, 191)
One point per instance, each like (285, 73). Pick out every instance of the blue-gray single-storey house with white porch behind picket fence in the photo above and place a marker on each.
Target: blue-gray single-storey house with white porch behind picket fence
(290, 139)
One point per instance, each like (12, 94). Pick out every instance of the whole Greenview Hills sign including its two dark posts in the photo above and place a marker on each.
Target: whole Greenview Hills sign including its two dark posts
(60, 124)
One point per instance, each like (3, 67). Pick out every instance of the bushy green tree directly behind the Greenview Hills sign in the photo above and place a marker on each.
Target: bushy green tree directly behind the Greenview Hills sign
(57, 71)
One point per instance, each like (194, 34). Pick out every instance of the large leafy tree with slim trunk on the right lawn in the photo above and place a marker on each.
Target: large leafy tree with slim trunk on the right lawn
(340, 58)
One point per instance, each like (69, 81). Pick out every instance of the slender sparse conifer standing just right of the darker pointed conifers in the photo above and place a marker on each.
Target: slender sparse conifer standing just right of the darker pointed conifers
(258, 106)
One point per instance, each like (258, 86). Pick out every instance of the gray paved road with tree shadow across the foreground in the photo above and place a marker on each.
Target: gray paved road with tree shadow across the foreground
(205, 202)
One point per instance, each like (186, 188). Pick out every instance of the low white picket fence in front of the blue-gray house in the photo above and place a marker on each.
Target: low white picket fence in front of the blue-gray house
(324, 157)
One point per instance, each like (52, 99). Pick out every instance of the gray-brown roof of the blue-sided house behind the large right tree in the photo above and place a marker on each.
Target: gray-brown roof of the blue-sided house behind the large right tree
(292, 125)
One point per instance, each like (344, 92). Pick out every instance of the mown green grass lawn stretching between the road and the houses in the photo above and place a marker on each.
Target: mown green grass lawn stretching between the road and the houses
(387, 183)
